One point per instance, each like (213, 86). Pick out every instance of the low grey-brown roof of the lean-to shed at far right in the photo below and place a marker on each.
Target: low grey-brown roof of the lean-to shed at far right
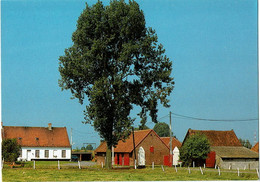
(234, 152)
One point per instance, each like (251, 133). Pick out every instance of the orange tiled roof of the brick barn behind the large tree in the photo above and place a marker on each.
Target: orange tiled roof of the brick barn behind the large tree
(128, 146)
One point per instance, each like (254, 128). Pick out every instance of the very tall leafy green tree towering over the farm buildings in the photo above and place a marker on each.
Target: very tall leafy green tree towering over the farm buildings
(117, 63)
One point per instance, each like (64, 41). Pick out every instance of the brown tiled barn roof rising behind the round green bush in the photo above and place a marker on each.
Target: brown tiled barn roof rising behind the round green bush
(217, 138)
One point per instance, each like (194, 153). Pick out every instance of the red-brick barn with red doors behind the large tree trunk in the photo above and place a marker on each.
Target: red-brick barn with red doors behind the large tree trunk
(145, 140)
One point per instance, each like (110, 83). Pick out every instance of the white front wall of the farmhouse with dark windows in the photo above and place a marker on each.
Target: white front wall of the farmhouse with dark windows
(55, 153)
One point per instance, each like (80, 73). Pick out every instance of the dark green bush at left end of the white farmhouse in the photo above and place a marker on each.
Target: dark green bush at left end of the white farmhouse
(10, 150)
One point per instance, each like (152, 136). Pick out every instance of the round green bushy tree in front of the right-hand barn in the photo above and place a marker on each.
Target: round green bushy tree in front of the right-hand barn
(195, 148)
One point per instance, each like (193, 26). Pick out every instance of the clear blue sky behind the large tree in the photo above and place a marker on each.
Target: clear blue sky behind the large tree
(213, 46)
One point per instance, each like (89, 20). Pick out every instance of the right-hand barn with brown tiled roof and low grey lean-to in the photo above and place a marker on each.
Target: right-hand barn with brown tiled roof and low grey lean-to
(226, 150)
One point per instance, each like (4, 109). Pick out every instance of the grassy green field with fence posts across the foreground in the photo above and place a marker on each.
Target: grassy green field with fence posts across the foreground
(99, 174)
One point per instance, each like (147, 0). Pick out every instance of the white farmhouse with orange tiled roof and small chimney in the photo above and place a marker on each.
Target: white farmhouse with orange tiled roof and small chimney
(40, 143)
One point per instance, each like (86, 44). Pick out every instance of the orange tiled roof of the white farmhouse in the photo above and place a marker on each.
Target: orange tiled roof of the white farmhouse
(38, 136)
